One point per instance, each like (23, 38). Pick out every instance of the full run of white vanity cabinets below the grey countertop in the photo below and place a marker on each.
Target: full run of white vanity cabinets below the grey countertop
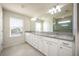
(50, 46)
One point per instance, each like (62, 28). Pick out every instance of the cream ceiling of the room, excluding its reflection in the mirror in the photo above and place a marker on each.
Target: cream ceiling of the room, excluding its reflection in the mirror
(29, 9)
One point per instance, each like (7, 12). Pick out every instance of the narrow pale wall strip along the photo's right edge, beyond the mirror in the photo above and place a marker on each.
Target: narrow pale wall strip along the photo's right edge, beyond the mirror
(76, 28)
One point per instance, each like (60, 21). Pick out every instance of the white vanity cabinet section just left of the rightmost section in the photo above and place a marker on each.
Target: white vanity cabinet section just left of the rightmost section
(49, 46)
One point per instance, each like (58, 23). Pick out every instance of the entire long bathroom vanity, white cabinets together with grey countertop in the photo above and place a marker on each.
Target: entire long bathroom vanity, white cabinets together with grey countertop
(51, 44)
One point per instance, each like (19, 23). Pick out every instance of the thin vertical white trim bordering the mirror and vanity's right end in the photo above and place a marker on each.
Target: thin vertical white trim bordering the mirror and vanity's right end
(75, 26)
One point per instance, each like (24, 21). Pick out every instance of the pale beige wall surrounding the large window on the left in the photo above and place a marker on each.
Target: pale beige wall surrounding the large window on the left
(10, 41)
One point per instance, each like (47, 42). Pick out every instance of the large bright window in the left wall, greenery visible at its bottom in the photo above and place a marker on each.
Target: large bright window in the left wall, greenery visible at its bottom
(16, 26)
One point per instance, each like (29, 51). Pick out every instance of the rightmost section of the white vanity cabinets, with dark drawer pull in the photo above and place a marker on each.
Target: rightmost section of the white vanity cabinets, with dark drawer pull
(65, 48)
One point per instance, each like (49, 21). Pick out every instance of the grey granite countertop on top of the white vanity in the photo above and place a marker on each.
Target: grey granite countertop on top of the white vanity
(63, 36)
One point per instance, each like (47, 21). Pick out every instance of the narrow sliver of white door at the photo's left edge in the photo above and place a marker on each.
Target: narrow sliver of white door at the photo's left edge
(1, 29)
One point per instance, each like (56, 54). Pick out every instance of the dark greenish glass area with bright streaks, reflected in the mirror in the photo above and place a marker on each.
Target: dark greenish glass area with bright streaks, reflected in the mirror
(63, 24)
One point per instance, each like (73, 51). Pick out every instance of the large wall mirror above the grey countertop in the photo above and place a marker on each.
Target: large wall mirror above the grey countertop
(57, 20)
